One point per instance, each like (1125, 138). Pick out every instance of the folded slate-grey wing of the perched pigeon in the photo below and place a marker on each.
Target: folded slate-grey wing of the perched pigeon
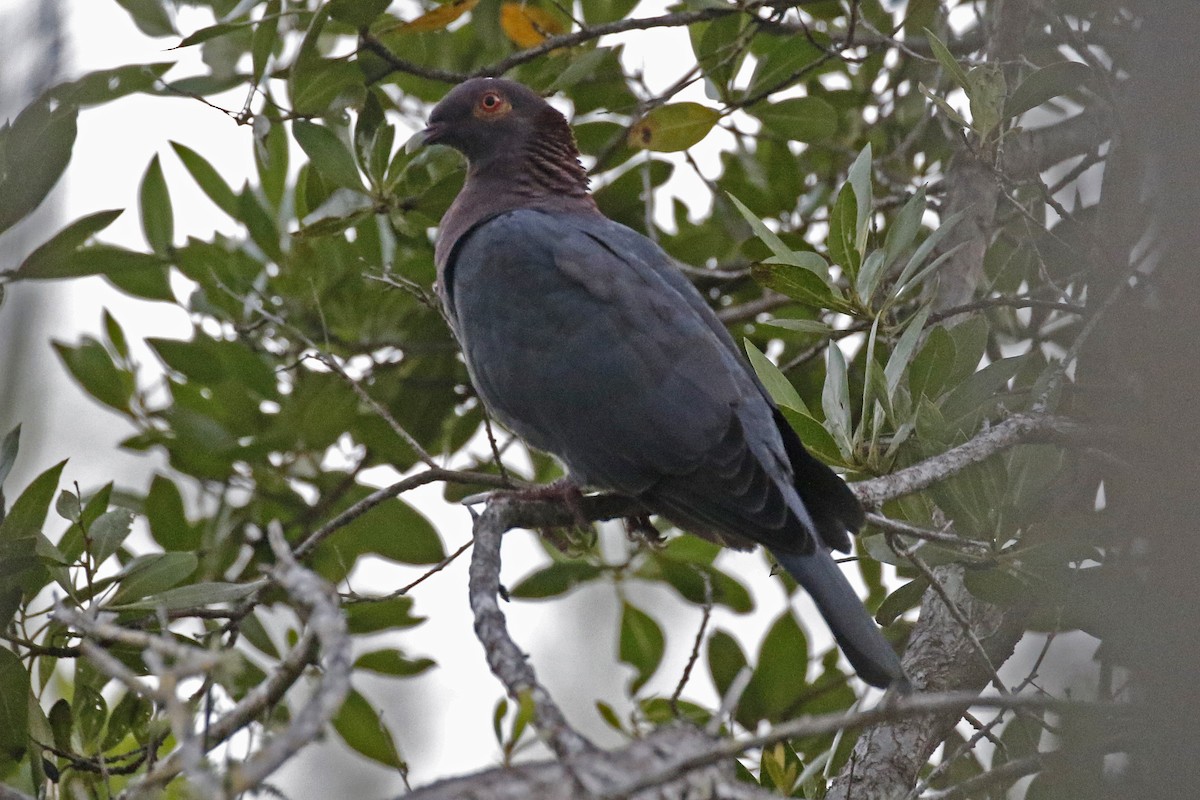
(580, 339)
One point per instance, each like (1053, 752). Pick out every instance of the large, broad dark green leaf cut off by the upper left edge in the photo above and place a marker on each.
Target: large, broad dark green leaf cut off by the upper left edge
(37, 151)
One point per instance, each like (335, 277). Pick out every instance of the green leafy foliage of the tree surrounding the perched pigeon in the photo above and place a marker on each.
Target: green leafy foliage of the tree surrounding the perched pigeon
(319, 353)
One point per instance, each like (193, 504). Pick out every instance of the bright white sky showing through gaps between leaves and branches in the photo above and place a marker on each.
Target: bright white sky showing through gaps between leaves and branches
(442, 721)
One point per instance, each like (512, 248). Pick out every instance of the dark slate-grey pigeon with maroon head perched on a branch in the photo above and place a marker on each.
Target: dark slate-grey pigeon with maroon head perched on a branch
(586, 340)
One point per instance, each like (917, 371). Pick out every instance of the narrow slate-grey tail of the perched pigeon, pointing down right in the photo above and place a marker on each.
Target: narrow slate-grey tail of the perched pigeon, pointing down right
(856, 633)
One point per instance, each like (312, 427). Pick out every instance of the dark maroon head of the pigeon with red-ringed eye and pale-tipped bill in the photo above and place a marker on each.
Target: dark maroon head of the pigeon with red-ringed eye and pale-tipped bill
(483, 118)
